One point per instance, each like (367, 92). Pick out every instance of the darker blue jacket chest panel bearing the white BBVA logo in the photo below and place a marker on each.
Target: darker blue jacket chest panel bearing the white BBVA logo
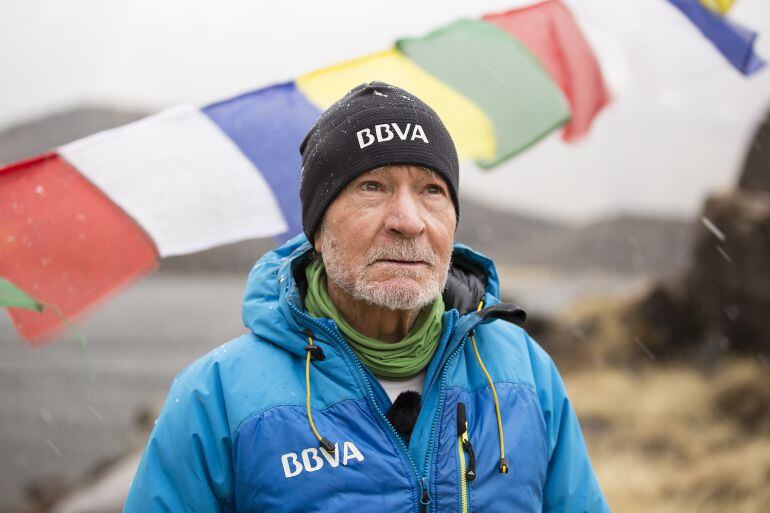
(279, 466)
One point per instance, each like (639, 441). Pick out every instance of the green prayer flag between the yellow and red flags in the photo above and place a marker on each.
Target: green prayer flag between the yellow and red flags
(498, 74)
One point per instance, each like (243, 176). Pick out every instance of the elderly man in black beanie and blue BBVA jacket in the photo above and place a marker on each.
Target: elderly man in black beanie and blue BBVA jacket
(381, 372)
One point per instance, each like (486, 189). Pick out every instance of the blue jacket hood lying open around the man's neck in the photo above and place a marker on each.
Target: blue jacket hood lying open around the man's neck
(272, 302)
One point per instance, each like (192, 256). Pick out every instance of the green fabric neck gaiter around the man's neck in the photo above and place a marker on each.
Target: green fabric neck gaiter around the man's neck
(391, 360)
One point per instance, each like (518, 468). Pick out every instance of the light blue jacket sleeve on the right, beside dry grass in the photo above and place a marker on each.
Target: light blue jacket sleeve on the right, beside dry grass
(571, 485)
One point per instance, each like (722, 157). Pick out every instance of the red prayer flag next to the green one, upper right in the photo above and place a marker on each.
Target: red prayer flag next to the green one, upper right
(549, 31)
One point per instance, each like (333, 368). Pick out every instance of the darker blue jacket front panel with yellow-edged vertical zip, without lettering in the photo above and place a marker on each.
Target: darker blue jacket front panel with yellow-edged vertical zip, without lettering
(486, 489)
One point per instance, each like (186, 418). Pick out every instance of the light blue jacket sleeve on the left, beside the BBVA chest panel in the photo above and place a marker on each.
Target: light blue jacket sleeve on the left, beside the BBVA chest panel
(187, 463)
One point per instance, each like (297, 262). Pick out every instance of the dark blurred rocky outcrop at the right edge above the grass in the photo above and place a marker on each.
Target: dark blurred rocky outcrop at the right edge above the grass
(722, 302)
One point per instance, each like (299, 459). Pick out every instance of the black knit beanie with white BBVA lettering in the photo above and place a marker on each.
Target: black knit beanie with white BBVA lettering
(373, 125)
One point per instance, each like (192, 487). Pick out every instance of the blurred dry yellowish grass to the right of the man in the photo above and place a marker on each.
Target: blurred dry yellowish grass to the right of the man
(673, 439)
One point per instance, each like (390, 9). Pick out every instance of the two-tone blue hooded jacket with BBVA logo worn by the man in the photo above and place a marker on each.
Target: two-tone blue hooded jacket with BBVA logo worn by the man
(234, 433)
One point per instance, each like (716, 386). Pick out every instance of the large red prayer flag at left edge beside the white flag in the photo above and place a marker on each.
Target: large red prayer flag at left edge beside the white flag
(63, 241)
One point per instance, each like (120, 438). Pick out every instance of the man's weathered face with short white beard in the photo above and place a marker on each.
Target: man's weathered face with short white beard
(386, 239)
